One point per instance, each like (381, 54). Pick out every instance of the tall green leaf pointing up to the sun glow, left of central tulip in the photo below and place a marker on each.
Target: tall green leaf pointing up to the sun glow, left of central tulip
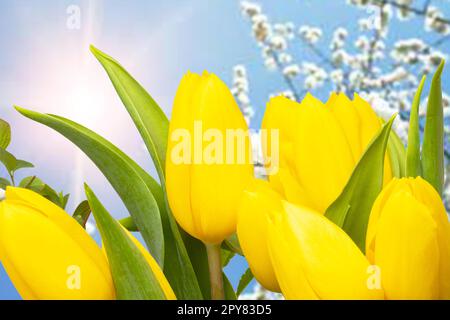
(148, 117)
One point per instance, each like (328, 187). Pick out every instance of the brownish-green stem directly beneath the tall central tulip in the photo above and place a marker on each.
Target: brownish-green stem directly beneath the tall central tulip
(215, 271)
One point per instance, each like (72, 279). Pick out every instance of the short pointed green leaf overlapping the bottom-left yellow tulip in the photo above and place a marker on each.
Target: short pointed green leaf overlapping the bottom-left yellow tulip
(132, 276)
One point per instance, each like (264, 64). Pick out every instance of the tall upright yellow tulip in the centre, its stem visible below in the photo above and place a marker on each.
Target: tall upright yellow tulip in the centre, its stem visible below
(205, 171)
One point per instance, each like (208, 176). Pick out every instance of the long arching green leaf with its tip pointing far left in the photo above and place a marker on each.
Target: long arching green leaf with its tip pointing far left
(121, 173)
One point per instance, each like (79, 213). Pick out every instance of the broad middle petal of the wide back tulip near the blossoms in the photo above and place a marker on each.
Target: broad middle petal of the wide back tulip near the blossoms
(323, 158)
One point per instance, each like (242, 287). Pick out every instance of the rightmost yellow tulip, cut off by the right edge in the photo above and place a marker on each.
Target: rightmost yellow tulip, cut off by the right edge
(408, 238)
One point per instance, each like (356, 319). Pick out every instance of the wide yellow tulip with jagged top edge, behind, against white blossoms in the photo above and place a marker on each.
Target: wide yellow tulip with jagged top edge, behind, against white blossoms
(320, 144)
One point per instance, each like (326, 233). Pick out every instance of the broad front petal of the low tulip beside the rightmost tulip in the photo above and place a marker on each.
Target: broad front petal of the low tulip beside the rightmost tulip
(315, 259)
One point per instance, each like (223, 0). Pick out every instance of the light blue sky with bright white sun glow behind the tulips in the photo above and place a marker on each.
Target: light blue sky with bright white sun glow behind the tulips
(47, 67)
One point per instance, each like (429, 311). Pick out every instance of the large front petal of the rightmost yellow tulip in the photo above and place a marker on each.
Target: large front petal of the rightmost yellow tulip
(406, 249)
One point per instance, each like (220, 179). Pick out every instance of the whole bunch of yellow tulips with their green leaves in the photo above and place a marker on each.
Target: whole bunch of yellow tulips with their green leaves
(345, 211)
